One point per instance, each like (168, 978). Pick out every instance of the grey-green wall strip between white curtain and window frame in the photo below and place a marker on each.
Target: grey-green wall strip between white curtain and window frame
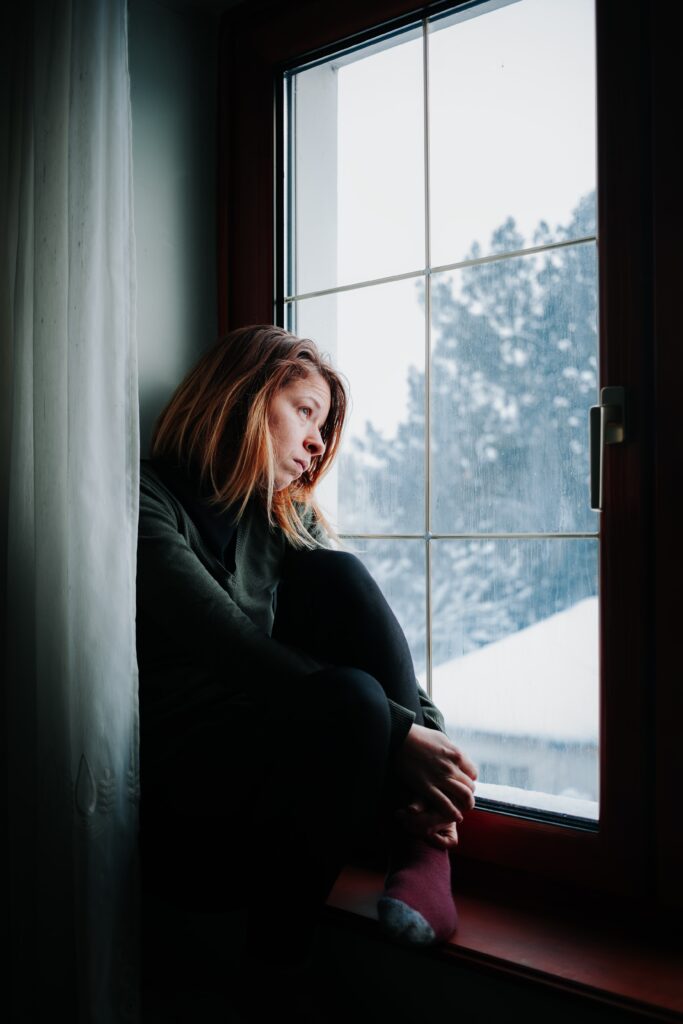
(174, 66)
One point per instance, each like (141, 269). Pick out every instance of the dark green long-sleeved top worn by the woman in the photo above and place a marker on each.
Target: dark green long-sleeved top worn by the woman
(204, 627)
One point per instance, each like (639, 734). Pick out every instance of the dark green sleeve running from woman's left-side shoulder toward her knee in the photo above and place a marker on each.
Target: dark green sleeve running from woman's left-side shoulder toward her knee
(179, 593)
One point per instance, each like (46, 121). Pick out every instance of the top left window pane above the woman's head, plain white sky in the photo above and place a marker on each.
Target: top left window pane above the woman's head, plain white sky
(359, 179)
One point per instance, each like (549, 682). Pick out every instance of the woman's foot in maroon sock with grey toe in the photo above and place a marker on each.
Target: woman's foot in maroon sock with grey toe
(417, 907)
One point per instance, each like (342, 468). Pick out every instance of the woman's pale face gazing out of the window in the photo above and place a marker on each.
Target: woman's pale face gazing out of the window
(296, 417)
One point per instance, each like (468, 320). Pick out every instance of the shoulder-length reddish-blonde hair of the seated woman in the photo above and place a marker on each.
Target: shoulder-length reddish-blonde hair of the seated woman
(216, 425)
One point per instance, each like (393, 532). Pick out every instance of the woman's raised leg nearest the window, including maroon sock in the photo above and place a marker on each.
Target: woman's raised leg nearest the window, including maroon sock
(335, 610)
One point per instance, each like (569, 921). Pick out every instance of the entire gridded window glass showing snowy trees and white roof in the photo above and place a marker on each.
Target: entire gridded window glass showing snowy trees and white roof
(441, 245)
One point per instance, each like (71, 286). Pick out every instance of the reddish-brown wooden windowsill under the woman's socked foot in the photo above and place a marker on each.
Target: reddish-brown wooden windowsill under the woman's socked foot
(606, 965)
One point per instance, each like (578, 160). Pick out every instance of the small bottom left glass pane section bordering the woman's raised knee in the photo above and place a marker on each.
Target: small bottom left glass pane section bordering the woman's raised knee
(399, 568)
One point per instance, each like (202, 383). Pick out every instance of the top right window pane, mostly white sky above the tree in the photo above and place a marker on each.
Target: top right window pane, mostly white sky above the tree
(511, 127)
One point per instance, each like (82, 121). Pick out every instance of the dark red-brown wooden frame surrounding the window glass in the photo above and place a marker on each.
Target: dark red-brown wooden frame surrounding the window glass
(639, 844)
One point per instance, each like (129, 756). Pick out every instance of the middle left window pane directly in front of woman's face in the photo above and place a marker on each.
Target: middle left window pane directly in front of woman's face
(376, 337)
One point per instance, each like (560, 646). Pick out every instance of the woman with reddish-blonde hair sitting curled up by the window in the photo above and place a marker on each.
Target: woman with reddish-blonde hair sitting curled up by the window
(278, 696)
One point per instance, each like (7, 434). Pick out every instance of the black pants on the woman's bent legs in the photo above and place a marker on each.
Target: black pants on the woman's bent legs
(296, 794)
